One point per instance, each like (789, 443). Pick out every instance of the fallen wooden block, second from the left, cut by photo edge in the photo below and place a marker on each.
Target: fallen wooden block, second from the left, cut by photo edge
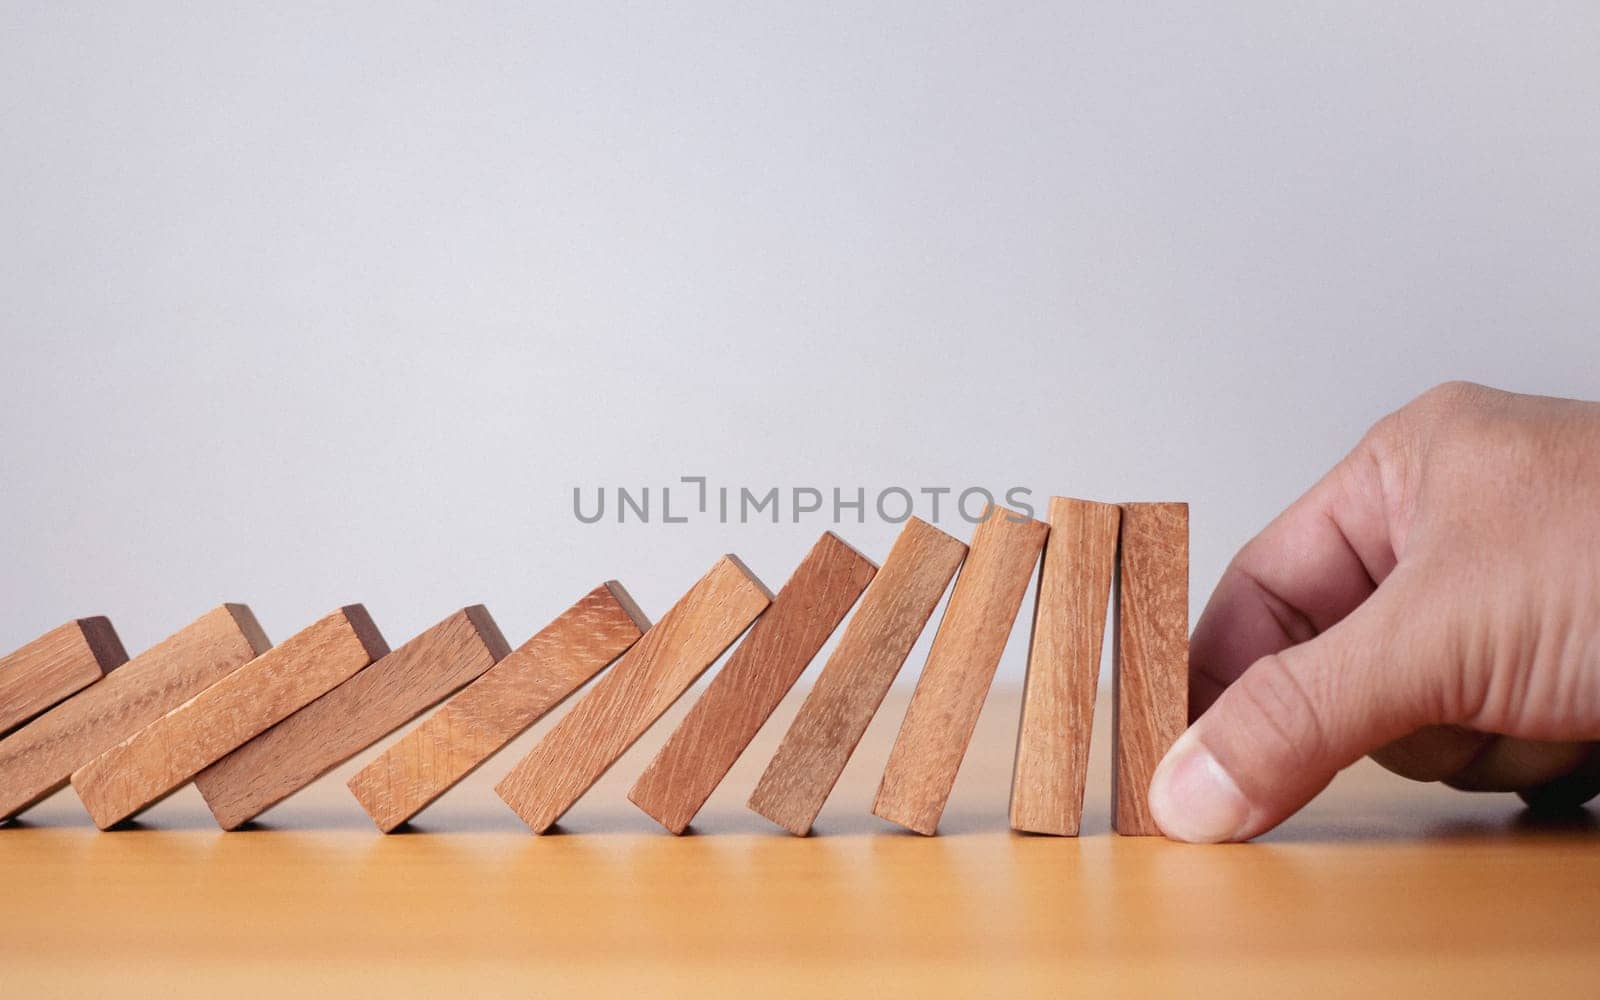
(39, 759)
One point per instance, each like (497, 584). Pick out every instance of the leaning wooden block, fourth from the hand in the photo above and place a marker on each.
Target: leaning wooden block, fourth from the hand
(847, 695)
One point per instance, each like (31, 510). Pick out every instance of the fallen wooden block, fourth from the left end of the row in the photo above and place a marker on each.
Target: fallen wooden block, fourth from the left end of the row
(351, 718)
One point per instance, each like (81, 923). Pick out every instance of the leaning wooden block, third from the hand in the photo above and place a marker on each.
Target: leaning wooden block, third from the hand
(961, 668)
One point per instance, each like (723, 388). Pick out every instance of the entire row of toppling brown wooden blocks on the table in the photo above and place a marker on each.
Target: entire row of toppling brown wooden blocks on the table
(252, 724)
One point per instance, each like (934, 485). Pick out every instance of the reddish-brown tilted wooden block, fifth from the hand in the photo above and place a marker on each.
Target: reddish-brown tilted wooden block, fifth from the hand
(743, 695)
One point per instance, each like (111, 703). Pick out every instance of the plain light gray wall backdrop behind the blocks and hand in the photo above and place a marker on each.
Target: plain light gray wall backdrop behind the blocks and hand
(305, 306)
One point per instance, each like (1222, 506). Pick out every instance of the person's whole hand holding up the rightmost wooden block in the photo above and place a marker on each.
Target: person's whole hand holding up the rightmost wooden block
(1434, 602)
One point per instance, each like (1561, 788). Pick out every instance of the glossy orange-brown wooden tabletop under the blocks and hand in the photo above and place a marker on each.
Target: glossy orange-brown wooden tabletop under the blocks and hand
(1382, 887)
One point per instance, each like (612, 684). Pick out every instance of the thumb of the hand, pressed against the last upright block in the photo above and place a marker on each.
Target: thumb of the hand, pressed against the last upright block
(1278, 735)
